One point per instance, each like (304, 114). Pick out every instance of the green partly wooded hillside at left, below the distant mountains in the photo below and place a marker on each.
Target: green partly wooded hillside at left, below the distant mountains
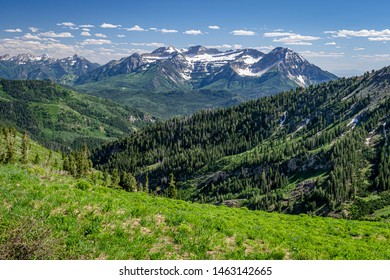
(62, 118)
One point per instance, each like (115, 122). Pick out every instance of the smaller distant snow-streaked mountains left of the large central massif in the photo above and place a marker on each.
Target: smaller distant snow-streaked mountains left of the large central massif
(30, 67)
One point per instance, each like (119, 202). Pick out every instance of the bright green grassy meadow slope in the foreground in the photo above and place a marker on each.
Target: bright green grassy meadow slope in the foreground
(45, 214)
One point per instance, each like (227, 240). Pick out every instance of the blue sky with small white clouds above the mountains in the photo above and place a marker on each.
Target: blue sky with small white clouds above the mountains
(344, 37)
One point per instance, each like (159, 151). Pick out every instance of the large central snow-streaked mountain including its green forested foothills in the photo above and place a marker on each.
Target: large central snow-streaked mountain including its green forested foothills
(170, 82)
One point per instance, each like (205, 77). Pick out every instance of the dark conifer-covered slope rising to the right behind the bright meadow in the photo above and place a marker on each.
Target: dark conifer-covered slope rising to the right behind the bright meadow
(321, 150)
